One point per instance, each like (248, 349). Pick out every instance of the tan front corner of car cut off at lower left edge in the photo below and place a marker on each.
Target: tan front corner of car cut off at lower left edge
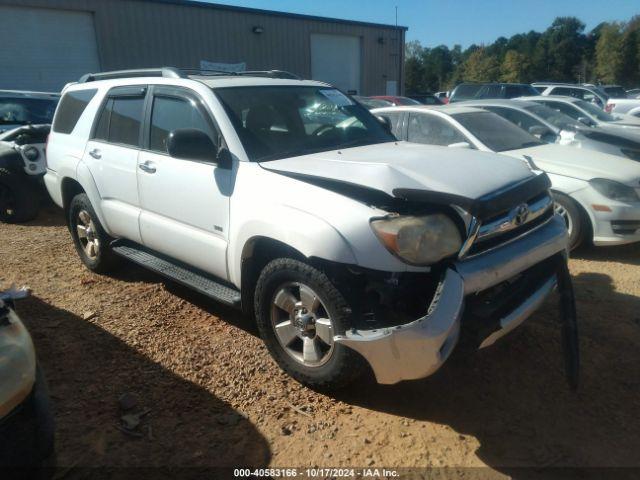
(17, 361)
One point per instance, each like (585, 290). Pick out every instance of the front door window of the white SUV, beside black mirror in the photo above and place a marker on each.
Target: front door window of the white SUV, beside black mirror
(171, 113)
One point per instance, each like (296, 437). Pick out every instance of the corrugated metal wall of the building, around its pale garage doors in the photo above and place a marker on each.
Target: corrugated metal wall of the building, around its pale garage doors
(135, 33)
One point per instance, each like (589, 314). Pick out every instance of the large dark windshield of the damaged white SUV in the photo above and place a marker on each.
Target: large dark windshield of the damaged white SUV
(286, 121)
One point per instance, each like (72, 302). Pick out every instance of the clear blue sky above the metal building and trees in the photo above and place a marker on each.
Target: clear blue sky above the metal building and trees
(460, 21)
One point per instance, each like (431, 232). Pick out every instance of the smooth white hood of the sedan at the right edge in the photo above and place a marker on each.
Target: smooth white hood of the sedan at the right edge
(581, 163)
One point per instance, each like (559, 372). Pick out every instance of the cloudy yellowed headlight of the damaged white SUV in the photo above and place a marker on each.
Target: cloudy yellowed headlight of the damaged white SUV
(419, 240)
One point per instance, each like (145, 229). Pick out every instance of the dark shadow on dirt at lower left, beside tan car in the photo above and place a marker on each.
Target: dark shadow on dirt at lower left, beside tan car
(88, 369)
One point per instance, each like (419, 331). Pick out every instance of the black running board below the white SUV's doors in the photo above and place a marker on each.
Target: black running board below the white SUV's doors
(180, 273)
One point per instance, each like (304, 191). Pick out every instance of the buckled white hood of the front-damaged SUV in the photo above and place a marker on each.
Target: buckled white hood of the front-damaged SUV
(401, 165)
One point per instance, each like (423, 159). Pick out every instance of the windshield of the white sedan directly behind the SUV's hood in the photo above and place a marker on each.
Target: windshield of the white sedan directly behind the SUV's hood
(495, 132)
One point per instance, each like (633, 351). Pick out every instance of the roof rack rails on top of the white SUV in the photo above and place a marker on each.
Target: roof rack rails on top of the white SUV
(172, 72)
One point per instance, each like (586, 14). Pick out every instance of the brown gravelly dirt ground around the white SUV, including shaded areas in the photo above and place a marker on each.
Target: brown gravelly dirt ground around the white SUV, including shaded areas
(216, 398)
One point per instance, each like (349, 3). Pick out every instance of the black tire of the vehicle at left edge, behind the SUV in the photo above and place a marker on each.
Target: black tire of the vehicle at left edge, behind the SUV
(19, 200)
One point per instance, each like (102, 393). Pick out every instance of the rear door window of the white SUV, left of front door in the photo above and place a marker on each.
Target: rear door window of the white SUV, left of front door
(120, 121)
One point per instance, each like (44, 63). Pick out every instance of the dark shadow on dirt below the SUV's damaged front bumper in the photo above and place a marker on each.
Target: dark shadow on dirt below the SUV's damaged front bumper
(513, 397)
